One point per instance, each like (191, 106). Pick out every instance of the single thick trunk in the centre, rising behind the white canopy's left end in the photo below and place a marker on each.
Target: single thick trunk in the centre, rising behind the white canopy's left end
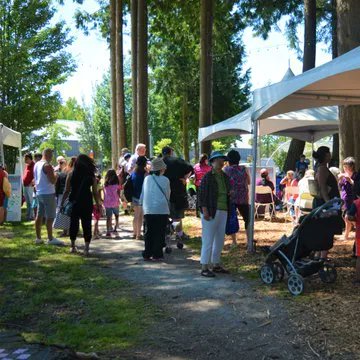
(206, 67)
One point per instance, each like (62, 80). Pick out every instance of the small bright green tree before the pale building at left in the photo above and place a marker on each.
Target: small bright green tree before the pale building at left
(52, 137)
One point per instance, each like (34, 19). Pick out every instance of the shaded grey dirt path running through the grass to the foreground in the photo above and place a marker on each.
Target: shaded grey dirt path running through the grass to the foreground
(221, 318)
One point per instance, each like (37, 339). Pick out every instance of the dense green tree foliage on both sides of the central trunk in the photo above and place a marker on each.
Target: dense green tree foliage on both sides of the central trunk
(174, 52)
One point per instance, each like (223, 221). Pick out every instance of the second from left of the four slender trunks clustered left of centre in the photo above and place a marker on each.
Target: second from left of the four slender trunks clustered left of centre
(120, 97)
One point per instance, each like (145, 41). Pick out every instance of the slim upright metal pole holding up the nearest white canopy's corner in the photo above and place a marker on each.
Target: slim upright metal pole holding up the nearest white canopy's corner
(250, 245)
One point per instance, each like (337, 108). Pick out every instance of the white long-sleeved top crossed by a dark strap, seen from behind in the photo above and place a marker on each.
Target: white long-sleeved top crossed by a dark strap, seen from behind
(153, 200)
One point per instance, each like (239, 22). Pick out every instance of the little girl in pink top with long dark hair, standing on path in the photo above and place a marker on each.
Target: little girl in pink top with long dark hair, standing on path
(111, 200)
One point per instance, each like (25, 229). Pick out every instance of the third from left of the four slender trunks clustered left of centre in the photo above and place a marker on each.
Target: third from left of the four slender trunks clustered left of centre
(134, 35)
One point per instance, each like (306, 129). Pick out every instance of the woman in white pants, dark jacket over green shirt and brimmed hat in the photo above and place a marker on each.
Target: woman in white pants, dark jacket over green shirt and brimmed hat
(213, 195)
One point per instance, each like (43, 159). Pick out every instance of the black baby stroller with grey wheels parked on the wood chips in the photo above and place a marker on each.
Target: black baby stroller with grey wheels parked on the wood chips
(291, 254)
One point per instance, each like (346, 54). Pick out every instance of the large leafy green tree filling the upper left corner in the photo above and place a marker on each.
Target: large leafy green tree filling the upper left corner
(33, 61)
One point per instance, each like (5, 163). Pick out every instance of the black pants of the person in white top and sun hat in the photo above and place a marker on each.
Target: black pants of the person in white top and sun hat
(155, 232)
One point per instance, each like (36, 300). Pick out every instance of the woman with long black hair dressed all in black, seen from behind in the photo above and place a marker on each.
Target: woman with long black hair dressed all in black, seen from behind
(81, 187)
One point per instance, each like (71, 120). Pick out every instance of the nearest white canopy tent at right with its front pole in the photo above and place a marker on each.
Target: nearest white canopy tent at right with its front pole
(334, 83)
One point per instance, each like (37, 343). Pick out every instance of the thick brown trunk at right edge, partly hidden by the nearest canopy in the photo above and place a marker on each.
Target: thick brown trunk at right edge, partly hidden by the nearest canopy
(348, 26)
